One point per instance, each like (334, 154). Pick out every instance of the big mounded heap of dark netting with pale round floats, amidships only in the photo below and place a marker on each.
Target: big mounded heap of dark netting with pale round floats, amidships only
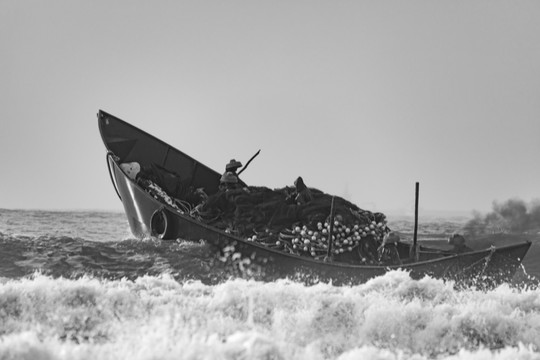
(273, 218)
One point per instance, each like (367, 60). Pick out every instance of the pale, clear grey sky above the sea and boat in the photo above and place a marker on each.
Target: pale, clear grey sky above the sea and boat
(360, 98)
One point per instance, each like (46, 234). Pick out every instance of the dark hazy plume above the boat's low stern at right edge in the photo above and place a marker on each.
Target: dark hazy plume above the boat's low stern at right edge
(511, 216)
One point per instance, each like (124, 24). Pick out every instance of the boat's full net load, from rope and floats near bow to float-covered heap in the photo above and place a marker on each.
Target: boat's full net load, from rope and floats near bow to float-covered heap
(285, 219)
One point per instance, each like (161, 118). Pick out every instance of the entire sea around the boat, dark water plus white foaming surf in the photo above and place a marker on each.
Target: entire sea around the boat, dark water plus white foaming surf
(78, 285)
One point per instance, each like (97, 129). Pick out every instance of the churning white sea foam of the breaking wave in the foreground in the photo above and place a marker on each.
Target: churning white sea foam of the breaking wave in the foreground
(390, 317)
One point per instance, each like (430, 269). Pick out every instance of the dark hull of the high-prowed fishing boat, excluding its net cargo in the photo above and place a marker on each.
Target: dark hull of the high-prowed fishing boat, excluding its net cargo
(149, 215)
